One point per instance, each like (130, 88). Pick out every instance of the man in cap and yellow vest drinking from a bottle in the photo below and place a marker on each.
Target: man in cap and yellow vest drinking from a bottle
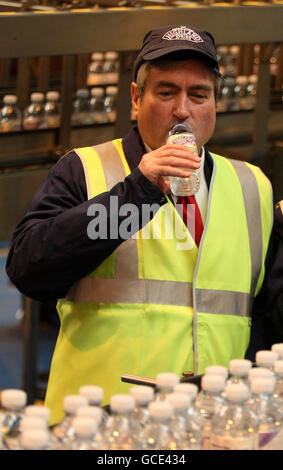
(137, 298)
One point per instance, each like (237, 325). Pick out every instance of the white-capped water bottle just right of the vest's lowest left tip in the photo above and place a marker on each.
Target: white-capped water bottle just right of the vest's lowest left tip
(64, 431)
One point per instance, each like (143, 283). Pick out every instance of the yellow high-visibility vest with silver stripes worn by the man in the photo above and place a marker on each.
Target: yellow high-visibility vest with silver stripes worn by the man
(159, 303)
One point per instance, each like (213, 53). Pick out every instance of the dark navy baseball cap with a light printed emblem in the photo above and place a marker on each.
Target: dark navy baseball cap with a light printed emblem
(166, 40)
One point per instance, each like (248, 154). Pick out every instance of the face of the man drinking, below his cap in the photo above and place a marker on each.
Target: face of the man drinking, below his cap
(181, 93)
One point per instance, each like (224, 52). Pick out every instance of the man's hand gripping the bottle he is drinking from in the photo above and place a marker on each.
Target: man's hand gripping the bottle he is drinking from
(168, 160)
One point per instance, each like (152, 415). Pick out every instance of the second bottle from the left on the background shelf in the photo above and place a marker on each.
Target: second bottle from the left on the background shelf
(34, 114)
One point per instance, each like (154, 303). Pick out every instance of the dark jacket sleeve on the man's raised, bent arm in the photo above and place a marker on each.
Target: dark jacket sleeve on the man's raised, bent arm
(51, 248)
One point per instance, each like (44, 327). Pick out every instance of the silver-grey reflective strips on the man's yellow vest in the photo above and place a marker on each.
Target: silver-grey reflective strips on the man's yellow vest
(126, 287)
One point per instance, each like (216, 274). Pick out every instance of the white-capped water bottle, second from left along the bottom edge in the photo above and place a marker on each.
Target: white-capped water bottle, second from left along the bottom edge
(86, 435)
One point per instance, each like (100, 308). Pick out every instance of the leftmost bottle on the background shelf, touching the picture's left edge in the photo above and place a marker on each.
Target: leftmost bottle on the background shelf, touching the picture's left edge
(10, 115)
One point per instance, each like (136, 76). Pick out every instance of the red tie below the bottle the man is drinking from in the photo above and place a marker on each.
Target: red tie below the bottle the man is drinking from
(192, 216)
